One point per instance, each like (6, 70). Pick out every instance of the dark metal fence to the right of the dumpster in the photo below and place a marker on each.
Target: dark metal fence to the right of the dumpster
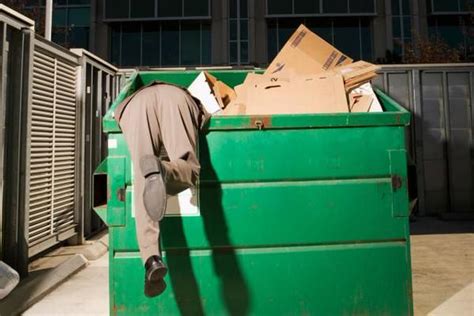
(441, 136)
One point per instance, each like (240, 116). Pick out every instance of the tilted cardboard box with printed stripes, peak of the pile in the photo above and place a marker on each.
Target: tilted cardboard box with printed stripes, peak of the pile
(305, 53)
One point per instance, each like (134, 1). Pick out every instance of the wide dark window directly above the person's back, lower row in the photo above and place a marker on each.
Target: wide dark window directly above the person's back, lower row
(156, 44)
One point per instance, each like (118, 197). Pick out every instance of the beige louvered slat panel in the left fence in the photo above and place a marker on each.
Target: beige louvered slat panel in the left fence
(53, 150)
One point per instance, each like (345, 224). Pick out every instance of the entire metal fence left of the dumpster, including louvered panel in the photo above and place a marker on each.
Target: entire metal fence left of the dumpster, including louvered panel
(51, 105)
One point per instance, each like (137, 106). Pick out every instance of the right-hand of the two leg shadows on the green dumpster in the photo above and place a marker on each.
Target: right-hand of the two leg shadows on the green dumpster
(234, 289)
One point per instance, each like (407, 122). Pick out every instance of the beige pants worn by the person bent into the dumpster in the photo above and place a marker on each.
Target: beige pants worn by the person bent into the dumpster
(161, 120)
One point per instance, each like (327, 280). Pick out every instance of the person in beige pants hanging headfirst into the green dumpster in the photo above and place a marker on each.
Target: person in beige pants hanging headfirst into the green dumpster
(160, 123)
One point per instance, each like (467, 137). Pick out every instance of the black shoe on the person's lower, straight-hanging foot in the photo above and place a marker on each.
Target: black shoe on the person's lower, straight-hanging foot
(155, 271)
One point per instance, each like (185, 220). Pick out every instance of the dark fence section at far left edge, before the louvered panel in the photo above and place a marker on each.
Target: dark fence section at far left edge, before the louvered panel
(16, 50)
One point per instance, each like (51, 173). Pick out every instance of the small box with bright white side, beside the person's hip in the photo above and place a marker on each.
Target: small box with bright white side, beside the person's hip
(213, 94)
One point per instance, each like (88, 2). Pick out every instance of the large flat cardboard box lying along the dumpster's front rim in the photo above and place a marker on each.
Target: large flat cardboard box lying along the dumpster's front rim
(311, 94)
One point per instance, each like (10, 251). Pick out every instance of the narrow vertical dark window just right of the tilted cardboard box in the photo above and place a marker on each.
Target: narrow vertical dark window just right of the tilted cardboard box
(401, 26)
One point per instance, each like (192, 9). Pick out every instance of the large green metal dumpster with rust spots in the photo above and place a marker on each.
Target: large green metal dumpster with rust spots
(295, 215)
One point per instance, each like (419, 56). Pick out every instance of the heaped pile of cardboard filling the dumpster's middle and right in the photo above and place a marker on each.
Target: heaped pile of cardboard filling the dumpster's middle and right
(307, 76)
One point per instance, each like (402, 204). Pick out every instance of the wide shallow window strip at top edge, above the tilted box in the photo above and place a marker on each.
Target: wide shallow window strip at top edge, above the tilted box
(319, 7)
